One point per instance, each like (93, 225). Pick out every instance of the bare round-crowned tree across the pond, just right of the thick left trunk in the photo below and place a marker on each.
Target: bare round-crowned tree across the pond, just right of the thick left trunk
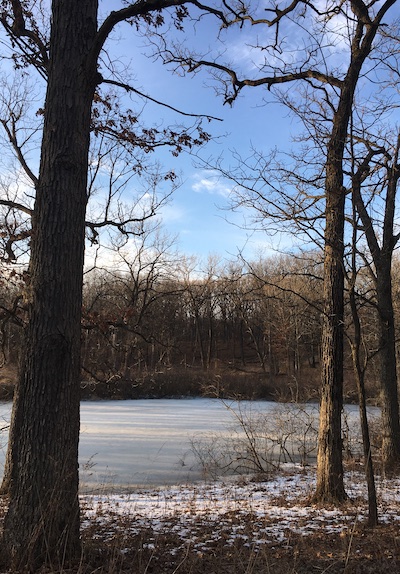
(124, 304)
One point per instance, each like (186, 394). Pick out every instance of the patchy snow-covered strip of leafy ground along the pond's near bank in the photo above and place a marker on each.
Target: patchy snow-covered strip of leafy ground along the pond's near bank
(278, 509)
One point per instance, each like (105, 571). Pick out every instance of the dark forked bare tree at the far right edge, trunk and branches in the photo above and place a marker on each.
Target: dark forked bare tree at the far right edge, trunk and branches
(376, 174)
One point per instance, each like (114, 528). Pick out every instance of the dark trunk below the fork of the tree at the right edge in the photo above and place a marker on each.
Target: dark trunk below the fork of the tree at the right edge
(387, 356)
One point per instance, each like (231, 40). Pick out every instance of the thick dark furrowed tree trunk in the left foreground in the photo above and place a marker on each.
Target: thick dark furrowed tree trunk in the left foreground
(42, 523)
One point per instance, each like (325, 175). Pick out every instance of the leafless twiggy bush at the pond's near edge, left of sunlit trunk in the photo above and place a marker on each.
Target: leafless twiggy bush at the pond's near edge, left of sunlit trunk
(259, 442)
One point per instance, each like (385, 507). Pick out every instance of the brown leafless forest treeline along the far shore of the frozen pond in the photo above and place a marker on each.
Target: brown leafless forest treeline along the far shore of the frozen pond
(251, 330)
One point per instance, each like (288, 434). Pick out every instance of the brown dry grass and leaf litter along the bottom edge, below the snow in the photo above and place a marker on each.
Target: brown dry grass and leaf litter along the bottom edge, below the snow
(228, 547)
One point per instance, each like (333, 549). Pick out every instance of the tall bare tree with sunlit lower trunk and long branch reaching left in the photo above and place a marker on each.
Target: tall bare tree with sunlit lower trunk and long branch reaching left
(331, 84)
